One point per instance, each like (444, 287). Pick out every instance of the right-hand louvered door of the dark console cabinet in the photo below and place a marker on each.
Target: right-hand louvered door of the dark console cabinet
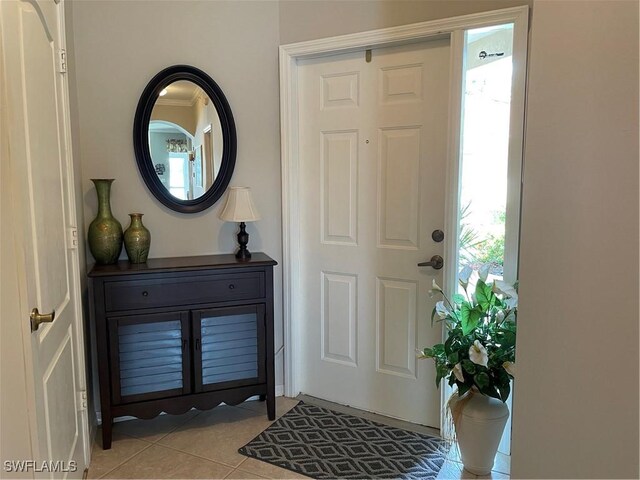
(229, 347)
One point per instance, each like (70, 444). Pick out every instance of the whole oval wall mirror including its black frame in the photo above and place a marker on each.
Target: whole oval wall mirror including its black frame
(184, 139)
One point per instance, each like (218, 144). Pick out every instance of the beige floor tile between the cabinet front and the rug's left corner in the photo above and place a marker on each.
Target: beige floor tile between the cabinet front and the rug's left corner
(217, 434)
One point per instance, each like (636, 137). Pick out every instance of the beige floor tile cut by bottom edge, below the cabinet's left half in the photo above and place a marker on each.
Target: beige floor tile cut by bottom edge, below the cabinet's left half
(160, 462)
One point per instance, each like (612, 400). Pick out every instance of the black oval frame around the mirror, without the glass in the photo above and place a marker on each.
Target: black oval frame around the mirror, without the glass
(141, 138)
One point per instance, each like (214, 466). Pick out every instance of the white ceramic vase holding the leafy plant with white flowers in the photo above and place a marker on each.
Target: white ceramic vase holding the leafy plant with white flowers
(479, 428)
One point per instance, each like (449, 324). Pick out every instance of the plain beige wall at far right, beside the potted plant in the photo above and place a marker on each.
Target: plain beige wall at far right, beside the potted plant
(576, 398)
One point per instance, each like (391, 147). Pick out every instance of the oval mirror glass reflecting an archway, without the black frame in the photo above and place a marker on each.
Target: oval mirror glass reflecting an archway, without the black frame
(185, 140)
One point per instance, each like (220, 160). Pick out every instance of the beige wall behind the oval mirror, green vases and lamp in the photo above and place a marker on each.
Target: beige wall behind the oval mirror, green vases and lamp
(119, 47)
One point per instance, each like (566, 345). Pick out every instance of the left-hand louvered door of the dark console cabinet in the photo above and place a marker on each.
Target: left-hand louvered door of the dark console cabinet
(150, 356)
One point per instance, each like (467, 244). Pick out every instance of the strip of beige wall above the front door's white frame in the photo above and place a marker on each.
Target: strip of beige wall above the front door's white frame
(307, 20)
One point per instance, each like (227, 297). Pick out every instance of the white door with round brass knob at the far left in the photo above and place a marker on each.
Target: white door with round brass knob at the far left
(45, 237)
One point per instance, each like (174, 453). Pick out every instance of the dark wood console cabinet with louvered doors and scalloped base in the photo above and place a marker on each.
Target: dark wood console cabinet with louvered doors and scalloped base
(178, 333)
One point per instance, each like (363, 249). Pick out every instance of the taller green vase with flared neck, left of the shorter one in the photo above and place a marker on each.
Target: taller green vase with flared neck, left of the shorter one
(105, 232)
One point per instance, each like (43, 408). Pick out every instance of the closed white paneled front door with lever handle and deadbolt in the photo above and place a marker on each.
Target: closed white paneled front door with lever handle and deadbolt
(373, 148)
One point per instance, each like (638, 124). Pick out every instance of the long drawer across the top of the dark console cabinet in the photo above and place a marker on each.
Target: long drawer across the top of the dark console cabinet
(166, 292)
